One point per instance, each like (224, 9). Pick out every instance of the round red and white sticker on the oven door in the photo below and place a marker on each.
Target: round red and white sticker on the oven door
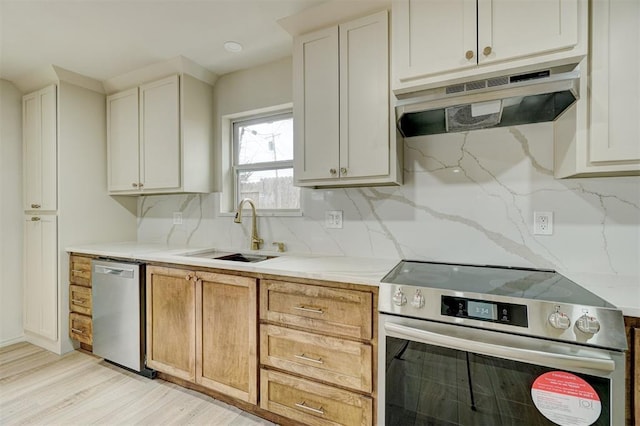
(566, 399)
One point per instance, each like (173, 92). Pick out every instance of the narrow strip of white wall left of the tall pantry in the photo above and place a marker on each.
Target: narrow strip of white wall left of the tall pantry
(10, 214)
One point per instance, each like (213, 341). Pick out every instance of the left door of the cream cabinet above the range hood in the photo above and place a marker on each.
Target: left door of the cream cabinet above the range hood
(432, 37)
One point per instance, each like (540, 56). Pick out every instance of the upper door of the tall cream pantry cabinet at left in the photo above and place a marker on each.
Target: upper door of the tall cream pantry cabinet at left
(39, 133)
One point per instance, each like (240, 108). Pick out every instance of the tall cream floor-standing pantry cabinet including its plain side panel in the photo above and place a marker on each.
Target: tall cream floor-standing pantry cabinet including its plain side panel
(65, 195)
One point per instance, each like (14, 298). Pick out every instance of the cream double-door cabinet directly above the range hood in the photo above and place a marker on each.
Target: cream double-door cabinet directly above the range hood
(439, 41)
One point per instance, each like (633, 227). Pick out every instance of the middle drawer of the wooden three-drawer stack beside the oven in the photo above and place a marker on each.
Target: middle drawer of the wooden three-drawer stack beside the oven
(338, 361)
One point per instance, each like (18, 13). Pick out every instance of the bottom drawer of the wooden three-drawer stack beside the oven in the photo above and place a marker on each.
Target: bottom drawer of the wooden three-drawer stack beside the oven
(312, 403)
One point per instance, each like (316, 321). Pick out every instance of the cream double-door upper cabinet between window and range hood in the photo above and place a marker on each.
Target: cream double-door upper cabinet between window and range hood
(342, 112)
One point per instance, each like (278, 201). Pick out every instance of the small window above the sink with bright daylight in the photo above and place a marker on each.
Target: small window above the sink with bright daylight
(263, 162)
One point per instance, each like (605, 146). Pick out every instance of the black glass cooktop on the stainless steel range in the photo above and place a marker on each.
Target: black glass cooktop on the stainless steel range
(523, 283)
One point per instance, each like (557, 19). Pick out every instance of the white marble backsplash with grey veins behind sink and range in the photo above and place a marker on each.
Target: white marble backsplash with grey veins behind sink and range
(467, 198)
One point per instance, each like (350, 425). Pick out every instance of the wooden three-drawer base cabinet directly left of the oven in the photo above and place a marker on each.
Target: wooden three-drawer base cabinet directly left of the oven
(318, 352)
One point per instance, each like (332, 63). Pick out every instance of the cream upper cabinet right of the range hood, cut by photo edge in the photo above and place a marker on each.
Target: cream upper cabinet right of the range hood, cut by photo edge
(600, 135)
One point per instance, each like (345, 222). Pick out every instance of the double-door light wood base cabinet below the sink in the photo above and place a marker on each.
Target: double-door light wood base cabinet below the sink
(202, 327)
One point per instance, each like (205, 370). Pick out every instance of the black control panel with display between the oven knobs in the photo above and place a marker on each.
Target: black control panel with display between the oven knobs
(503, 313)
